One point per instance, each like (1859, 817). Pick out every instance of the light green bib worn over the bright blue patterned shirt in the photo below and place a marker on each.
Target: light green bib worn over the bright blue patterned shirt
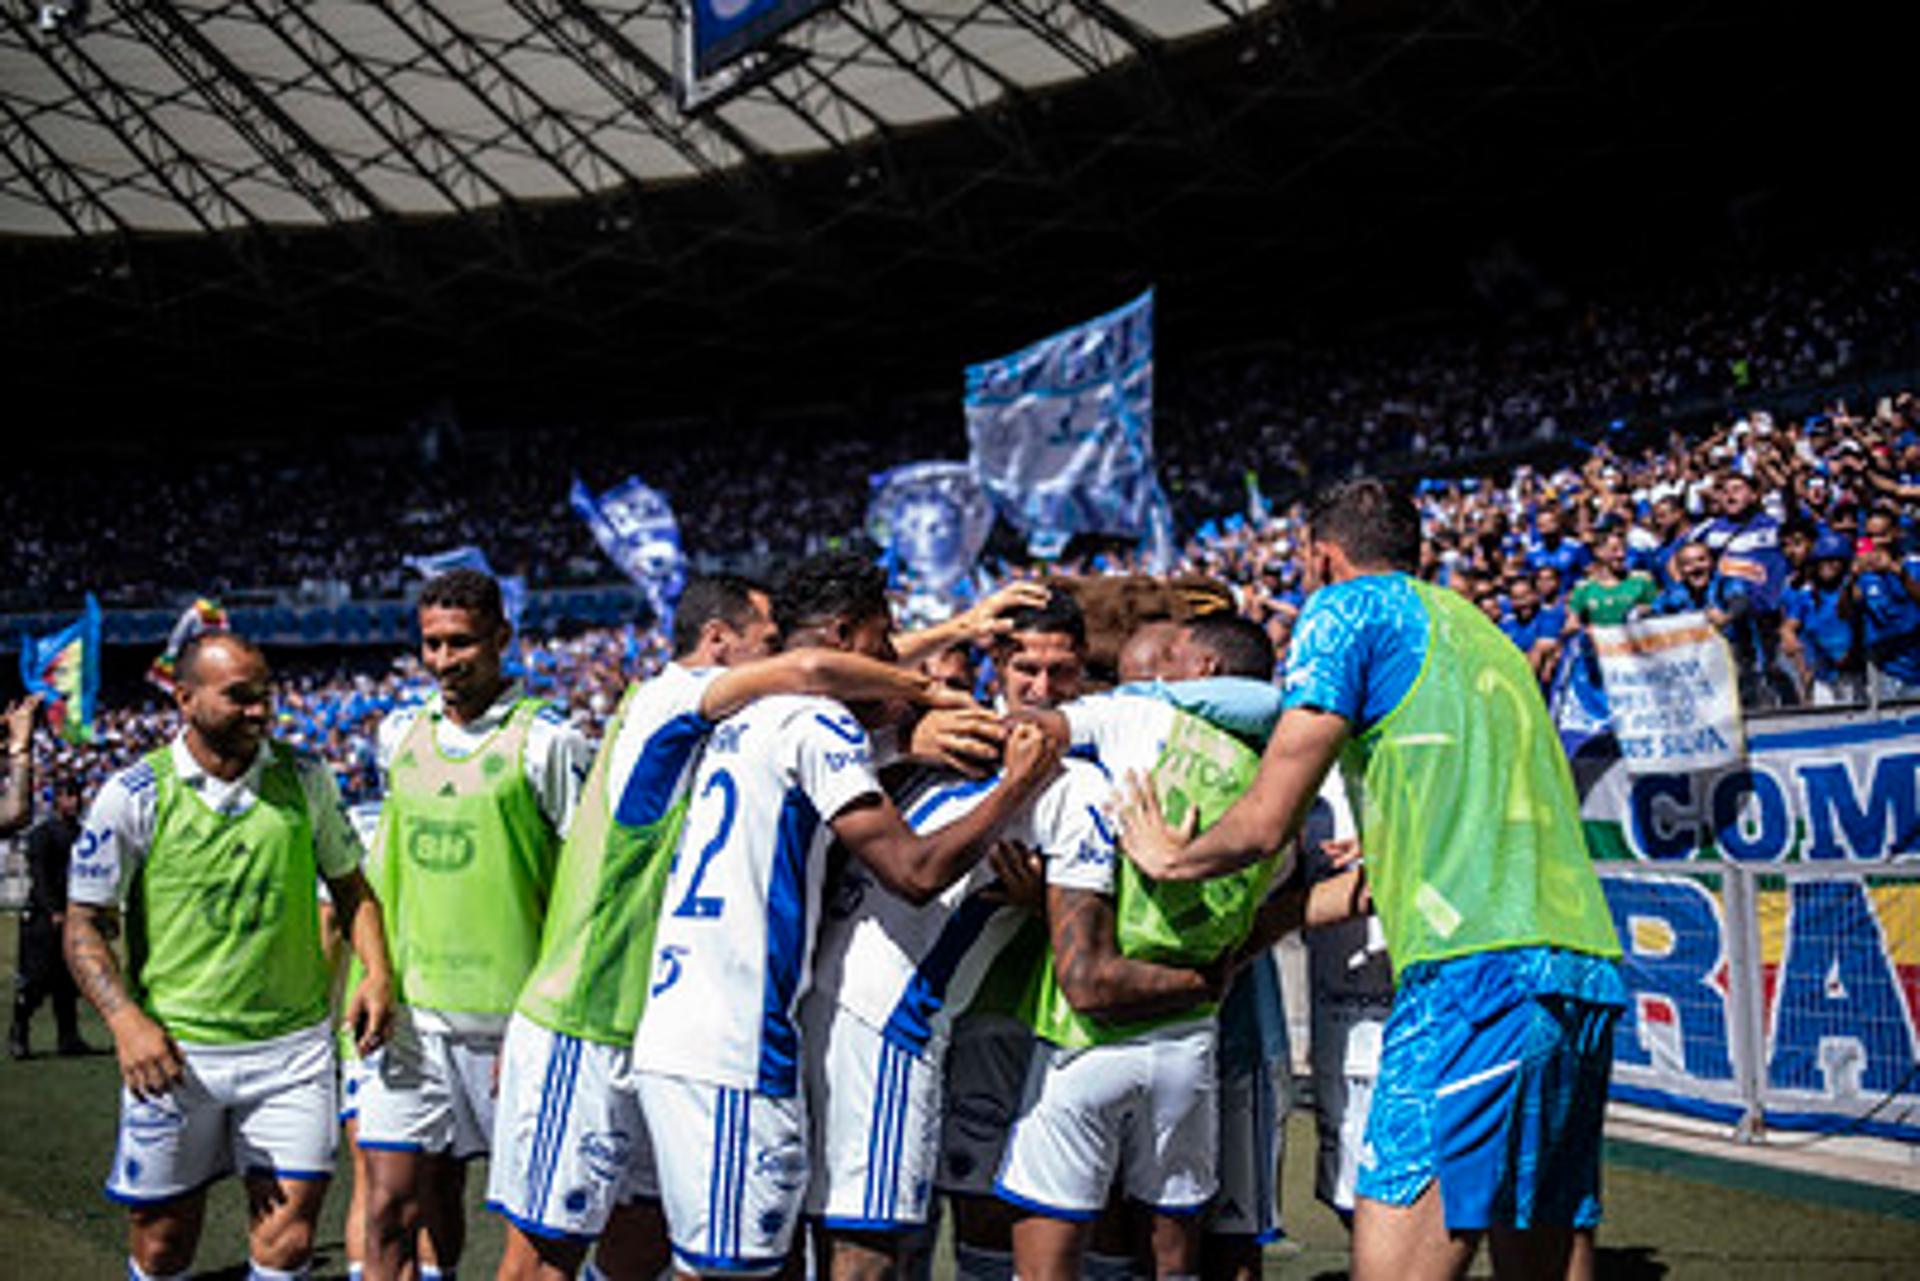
(1468, 808)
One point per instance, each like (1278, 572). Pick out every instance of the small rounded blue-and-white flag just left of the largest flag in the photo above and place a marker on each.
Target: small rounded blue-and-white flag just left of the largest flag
(930, 521)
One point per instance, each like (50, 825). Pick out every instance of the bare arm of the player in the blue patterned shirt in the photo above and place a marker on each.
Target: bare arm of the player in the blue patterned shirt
(1268, 817)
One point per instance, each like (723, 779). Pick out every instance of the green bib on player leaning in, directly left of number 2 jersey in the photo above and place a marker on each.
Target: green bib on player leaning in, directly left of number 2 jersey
(596, 952)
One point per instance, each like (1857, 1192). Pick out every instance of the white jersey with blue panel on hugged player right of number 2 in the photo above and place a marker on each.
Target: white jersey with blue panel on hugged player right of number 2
(911, 971)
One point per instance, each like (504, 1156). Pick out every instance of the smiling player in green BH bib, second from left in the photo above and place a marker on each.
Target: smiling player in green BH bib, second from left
(481, 783)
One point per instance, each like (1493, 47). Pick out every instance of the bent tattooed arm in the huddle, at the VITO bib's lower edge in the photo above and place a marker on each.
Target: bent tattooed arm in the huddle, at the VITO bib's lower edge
(1103, 984)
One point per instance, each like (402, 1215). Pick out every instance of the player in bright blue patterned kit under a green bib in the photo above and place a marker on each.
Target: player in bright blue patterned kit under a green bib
(1487, 1113)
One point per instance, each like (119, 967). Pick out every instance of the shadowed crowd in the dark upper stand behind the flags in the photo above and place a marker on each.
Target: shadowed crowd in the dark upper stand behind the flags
(1299, 414)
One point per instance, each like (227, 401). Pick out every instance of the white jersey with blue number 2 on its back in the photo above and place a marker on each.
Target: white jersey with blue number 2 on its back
(736, 940)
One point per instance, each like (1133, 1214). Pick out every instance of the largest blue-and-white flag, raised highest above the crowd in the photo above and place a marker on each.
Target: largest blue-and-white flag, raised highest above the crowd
(1063, 433)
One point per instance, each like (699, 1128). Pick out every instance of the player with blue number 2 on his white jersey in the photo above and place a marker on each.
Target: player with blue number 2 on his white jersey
(717, 1059)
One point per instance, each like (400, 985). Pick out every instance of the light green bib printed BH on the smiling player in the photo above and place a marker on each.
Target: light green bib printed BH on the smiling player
(466, 869)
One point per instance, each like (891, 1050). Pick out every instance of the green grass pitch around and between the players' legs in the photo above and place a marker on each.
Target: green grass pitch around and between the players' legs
(1668, 1217)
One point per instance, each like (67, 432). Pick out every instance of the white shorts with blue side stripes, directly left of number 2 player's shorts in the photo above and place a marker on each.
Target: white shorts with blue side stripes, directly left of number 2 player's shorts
(569, 1144)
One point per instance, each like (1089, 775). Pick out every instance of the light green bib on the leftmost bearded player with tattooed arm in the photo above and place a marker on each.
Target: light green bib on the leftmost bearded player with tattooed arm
(224, 923)
